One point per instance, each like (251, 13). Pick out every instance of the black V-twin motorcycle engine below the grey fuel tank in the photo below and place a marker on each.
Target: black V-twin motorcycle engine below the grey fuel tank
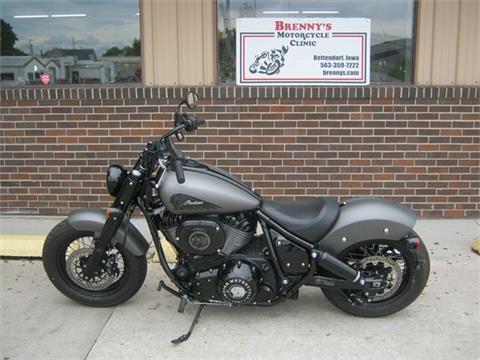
(220, 258)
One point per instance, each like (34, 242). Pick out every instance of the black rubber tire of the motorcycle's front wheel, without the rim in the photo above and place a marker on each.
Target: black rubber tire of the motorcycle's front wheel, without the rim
(54, 262)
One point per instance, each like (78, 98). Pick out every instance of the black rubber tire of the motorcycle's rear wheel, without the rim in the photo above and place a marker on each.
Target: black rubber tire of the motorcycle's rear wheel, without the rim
(412, 286)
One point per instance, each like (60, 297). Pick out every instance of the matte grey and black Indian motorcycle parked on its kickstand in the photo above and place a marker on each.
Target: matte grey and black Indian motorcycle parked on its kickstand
(232, 246)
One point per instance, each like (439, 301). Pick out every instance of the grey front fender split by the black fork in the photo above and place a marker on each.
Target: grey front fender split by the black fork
(127, 234)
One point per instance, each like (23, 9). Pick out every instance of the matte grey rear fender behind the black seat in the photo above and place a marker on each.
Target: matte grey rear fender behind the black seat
(364, 219)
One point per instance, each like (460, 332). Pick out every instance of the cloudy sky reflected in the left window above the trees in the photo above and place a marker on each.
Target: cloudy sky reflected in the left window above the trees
(107, 23)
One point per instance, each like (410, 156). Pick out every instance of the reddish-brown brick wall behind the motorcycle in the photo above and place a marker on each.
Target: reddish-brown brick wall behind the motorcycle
(416, 145)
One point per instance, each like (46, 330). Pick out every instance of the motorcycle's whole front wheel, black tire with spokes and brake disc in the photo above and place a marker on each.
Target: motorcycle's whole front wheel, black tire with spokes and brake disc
(65, 255)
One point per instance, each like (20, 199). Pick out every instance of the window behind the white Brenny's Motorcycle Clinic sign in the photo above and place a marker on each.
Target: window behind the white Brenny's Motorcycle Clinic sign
(392, 24)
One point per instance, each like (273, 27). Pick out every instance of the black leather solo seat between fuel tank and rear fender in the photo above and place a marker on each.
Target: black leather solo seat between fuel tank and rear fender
(310, 220)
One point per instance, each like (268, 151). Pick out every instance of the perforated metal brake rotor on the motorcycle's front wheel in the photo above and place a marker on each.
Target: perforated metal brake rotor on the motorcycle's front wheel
(76, 266)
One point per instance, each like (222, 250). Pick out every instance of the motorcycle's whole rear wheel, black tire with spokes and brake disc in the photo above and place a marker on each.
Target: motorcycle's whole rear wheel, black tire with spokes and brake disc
(405, 272)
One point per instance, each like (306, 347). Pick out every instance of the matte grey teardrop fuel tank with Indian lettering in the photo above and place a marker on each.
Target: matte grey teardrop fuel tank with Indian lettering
(205, 193)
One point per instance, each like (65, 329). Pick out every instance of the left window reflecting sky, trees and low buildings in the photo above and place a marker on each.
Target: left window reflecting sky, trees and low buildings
(81, 42)
